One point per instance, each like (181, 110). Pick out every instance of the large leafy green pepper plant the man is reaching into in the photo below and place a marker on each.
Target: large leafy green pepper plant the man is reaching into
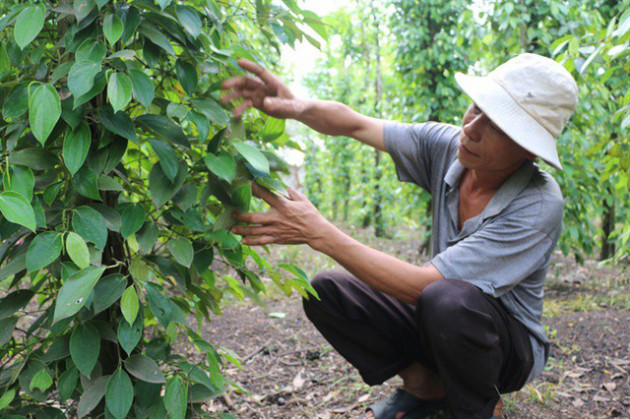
(120, 170)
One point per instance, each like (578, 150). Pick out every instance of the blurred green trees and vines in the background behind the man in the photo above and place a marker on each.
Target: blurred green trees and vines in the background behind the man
(421, 47)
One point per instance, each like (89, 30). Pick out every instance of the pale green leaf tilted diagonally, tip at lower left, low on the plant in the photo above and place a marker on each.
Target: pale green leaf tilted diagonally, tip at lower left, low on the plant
(75, 291)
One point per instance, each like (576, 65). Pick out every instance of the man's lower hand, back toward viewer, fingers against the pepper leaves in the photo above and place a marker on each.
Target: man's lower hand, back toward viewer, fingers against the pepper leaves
(288, 221)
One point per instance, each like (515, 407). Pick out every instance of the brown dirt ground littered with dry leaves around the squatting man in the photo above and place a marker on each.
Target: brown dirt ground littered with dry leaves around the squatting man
(290, 371)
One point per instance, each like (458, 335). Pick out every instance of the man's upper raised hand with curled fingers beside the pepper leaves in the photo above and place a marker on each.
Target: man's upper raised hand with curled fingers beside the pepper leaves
(261, 90)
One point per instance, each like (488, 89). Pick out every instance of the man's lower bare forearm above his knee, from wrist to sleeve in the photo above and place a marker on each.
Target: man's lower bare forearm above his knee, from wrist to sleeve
(383, 272)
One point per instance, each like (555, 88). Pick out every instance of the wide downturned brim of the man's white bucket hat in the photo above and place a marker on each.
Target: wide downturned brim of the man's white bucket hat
(503, 110)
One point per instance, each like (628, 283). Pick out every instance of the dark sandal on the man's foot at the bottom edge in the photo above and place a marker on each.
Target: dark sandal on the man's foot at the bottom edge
(402, 401)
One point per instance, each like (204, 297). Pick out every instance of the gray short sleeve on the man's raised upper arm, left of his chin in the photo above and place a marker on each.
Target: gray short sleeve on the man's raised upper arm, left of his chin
(421, 152)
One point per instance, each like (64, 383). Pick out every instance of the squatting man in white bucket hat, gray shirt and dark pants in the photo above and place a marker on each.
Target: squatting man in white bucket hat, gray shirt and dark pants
(466, 327)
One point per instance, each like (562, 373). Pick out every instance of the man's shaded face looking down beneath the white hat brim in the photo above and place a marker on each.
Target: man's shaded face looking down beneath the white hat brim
(483, 146)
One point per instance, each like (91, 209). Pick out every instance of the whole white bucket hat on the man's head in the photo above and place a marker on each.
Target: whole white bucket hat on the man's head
(530, 97)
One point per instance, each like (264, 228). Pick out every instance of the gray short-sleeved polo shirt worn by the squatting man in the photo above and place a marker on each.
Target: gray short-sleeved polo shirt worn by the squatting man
(505, 250)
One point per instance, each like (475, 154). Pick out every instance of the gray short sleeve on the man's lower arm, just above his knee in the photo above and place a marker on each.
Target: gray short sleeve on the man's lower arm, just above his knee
(497, 257)
